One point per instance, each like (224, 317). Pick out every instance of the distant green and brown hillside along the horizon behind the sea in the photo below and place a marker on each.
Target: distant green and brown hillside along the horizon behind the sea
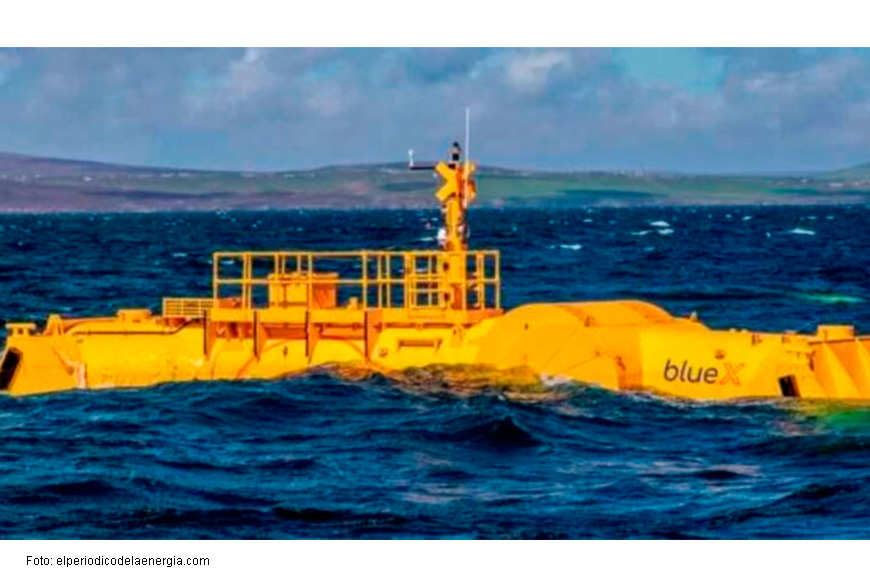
(36, 184)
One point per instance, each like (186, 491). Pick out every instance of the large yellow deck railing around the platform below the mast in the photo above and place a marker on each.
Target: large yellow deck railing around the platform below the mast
(367, 279)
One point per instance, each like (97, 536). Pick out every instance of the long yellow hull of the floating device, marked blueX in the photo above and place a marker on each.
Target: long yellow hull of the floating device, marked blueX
(623, 345)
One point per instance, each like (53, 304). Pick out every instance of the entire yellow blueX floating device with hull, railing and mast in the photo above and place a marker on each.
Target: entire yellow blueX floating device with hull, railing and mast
(276, 313)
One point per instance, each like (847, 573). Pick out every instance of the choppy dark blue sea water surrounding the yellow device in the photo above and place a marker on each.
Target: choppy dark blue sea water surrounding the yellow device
(318, 456)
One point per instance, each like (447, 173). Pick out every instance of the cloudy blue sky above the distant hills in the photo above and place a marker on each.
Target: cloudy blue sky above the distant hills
(685, 109)
